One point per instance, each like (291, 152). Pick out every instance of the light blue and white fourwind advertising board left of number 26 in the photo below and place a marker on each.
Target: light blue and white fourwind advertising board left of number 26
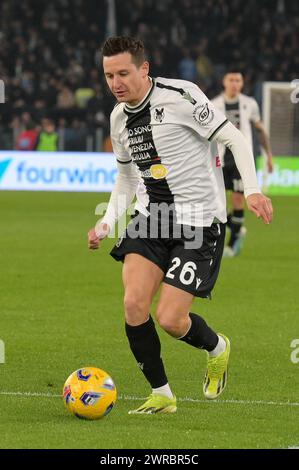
(59, 171)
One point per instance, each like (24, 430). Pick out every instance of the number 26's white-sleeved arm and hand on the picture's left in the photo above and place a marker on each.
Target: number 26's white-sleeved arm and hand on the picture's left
(121, 197)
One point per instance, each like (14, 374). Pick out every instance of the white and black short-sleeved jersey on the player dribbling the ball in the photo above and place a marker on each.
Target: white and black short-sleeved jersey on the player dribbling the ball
(169, 138)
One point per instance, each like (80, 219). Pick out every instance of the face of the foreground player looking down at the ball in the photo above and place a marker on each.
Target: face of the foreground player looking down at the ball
(126, 80)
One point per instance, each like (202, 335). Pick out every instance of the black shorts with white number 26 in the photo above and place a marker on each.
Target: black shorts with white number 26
(192, 269)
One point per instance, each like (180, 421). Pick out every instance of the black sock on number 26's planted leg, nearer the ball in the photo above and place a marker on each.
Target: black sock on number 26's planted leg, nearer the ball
(146, 347)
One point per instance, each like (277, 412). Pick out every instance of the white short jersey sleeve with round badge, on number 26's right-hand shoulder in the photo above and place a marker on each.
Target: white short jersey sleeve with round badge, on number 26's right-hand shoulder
(200, 114)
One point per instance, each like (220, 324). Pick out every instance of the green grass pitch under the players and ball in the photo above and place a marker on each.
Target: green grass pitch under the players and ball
(61, 309)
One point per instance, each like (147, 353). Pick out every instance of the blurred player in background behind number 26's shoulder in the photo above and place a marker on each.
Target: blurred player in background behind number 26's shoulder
(243, 112)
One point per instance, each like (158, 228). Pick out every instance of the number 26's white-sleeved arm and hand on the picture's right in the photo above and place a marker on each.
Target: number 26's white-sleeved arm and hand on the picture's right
(257, 203)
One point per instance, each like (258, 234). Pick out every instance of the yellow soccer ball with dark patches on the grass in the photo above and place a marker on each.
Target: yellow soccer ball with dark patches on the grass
(89, 393)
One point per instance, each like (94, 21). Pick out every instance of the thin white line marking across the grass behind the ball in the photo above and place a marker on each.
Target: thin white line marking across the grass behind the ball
(182, 400)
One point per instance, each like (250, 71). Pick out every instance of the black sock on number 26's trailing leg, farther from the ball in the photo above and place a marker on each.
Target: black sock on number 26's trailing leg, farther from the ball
(200, 335)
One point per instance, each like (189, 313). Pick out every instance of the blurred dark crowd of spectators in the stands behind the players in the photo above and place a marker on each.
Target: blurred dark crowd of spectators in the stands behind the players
(50, 63)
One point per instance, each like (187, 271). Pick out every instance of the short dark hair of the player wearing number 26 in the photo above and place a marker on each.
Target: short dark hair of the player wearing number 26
(119, 44)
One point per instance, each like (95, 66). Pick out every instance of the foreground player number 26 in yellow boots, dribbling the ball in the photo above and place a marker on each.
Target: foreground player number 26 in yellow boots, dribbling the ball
(164, 134)
